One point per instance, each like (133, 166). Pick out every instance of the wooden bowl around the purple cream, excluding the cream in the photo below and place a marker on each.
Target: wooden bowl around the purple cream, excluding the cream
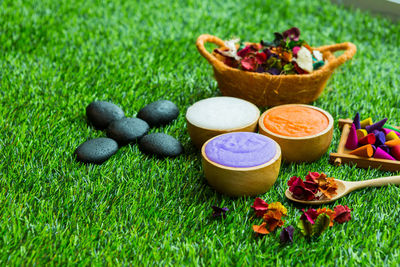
(248, 181)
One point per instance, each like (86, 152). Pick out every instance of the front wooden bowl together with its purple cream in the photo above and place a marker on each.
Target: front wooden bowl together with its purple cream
(241, 163)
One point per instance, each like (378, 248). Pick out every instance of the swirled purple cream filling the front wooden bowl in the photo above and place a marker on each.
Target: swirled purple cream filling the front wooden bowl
(241, 149)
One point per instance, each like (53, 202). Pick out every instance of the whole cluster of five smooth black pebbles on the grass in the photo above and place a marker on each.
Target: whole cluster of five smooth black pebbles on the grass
(122, 131)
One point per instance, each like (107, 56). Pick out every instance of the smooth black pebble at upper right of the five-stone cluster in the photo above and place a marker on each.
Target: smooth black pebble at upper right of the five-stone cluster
(159, 113)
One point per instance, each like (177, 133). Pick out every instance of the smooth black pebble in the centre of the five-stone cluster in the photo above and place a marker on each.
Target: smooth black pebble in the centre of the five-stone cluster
(127, 130)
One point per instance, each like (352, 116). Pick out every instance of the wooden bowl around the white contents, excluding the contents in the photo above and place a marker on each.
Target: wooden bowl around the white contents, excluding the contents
(199, 134)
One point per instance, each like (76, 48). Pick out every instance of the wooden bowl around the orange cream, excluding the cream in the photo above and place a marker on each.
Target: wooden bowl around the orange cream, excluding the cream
(301, 149)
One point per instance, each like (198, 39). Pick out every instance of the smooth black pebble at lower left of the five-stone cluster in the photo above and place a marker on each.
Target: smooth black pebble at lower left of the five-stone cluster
(96, 150)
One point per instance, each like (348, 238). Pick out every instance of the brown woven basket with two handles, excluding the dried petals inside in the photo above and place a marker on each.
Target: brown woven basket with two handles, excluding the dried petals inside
(272, 90)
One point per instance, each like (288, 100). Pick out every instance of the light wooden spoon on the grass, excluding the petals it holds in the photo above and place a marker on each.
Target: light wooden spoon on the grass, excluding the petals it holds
(345, 187)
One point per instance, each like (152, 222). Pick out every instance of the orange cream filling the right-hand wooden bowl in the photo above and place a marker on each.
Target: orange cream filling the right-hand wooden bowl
(295, 121)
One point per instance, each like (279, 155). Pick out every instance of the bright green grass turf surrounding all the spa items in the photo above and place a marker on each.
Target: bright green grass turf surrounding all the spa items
(56, 57)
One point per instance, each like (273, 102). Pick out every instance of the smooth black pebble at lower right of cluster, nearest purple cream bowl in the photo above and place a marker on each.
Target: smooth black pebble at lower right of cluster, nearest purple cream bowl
(160, 144)
